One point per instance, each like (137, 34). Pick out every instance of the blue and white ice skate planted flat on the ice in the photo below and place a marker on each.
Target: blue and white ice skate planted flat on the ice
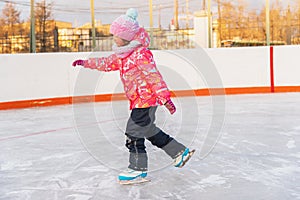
(131, 176)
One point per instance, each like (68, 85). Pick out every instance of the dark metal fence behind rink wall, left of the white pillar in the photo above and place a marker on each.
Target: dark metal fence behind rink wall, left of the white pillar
(80, 40)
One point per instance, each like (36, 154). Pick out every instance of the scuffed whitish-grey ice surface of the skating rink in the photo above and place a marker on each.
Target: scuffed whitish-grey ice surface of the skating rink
(75, 152)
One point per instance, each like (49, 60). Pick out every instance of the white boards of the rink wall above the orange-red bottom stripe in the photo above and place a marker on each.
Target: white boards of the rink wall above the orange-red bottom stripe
(50, 75)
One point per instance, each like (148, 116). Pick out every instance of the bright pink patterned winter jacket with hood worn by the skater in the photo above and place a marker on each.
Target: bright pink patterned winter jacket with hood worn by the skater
(143, 84)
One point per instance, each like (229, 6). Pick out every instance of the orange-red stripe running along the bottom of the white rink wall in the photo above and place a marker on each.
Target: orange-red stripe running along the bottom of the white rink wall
(121, 96)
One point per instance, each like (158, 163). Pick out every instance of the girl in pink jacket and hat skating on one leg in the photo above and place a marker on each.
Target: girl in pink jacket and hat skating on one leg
(145, 89)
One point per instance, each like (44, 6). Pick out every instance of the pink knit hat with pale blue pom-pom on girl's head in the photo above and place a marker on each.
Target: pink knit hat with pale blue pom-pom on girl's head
(126, 26)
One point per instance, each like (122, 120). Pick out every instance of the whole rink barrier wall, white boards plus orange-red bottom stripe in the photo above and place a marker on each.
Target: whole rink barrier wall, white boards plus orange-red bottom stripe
(32, 80)
